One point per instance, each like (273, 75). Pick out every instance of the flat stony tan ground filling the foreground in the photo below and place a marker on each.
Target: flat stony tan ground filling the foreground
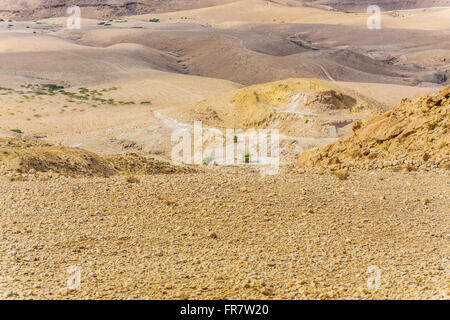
(227, 233)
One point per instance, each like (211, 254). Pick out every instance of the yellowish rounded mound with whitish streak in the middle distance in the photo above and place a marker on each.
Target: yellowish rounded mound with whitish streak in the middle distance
(263, 105)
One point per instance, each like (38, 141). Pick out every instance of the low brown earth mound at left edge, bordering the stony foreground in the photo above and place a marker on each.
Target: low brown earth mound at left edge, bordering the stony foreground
(22, 157)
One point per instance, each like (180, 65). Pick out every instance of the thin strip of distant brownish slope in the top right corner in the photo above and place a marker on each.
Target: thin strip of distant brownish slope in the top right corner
(385, 5)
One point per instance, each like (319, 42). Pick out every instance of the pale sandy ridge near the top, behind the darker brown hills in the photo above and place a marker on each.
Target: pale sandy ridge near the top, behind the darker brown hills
(245, 11)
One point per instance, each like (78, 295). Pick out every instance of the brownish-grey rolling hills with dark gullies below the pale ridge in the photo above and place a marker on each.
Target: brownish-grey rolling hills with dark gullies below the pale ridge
(269, 52)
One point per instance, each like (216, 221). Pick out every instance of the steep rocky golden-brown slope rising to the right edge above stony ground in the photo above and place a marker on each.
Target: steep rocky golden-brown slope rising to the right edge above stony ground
(413, 135)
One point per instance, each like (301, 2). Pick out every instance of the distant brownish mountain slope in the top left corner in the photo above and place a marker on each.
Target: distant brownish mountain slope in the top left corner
(38, 9)
